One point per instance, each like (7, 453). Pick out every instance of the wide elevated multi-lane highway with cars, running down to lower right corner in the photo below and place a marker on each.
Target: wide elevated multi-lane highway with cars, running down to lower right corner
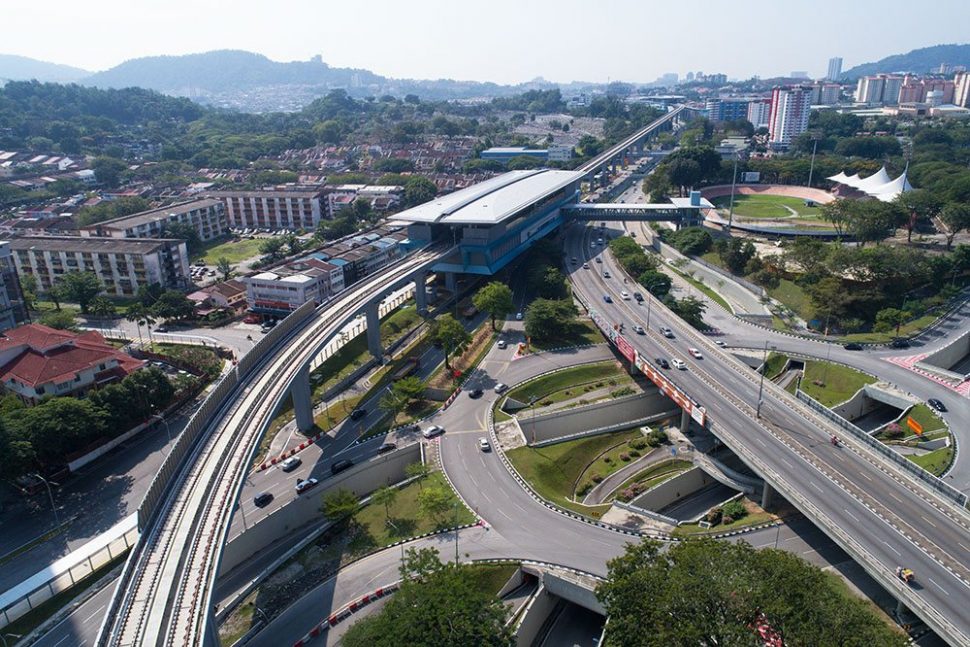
(840, 488)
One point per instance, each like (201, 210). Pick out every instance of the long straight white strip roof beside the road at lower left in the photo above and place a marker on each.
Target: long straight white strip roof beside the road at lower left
(67, 571)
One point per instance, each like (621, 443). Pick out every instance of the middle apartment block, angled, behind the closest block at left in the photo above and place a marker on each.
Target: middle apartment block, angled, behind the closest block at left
(207, 216)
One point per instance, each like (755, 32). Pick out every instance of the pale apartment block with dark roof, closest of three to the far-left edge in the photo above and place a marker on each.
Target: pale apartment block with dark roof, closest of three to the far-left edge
(121, 264)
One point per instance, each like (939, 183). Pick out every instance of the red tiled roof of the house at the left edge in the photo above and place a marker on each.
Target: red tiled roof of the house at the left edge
(51, 355)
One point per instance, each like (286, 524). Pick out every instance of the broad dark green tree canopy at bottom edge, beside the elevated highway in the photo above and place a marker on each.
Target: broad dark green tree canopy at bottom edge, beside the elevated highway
(718, 592)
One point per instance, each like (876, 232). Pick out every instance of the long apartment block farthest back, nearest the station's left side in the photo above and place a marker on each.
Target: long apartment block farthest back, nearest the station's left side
(272, 209)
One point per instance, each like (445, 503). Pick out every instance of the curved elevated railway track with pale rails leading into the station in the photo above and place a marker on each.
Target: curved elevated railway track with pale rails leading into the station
(166, 590)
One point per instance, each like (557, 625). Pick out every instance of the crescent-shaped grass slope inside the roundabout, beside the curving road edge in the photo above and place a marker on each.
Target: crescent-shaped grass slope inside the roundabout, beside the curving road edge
(553, 471)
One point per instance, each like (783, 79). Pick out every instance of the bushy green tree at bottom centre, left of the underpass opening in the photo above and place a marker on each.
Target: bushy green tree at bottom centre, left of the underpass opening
(436, 604)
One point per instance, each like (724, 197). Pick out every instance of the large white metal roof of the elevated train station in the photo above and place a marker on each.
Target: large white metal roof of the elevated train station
(492, 201)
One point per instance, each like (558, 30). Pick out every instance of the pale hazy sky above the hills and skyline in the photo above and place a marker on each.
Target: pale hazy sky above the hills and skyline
(492, 40)
